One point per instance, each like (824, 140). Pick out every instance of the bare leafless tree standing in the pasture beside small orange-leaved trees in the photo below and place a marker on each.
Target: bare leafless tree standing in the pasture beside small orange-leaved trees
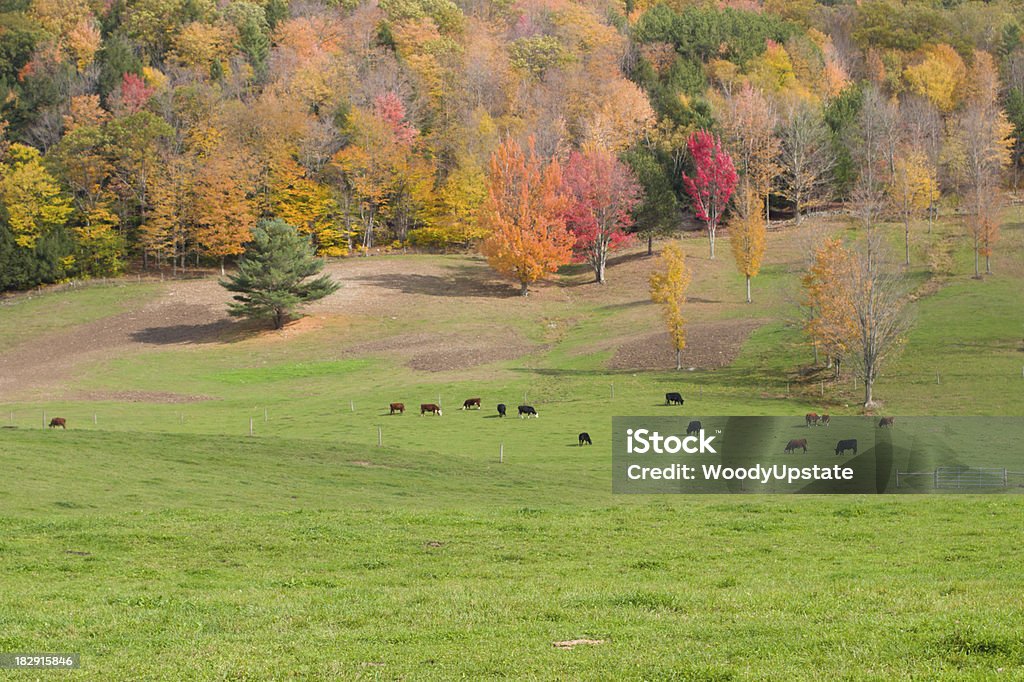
(878, 299)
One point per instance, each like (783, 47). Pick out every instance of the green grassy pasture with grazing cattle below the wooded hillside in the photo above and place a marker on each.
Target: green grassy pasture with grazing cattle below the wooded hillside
(162, 541)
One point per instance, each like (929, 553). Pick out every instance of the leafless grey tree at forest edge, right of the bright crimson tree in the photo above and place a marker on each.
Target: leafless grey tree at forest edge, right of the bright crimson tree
(807, 158)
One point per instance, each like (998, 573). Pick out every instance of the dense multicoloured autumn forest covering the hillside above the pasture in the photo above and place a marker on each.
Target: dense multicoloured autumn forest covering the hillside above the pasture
(158, 134)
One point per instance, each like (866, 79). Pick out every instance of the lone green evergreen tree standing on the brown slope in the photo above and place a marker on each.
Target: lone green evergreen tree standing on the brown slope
(272, 281)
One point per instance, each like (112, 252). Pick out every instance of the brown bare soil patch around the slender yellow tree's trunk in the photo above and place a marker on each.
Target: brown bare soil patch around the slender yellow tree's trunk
(709, 346)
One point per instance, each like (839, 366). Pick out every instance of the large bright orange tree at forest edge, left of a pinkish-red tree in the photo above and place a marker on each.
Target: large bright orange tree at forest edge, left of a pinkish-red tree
(524, 216)
